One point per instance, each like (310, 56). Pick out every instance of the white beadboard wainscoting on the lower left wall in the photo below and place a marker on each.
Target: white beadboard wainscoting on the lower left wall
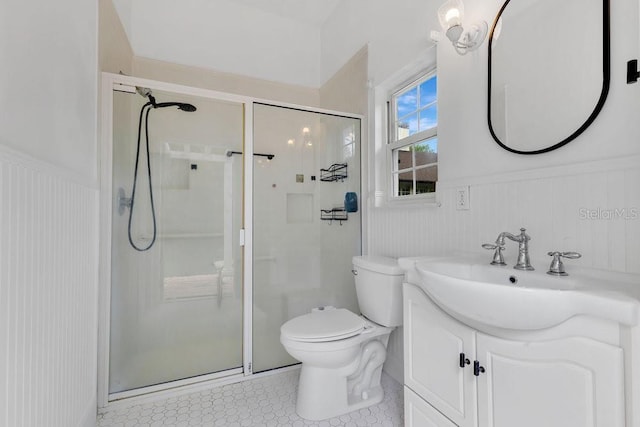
(48, 295)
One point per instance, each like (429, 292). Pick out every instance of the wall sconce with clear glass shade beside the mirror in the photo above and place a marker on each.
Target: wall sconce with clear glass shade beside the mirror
(450, 15)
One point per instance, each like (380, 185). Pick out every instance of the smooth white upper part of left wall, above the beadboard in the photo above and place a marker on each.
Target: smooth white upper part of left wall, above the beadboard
(48, 81)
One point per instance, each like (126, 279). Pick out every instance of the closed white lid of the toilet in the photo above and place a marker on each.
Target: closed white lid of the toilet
(326, 325)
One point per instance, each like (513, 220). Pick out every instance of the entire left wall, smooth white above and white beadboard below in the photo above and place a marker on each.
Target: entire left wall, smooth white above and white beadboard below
(48, 212)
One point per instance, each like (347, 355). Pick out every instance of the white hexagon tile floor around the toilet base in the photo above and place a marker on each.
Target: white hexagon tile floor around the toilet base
(267, 401)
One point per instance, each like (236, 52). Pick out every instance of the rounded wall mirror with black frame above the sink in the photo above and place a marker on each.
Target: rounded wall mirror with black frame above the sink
(548, 72)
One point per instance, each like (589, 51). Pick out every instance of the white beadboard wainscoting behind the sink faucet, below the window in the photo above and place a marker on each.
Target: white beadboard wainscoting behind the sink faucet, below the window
(591, 208)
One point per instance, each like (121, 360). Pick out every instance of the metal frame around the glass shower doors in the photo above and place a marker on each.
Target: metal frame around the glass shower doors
(118, 82)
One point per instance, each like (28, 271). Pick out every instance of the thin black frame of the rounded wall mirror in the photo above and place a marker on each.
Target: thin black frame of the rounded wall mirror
(606, 77)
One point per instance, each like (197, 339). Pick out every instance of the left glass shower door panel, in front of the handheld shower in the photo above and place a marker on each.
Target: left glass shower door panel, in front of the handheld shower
(176, 308)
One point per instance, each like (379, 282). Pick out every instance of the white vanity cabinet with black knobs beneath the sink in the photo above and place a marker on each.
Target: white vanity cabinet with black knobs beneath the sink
(458, 376)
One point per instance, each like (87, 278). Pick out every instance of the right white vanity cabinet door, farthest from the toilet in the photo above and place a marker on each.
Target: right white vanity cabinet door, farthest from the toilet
(572, 382)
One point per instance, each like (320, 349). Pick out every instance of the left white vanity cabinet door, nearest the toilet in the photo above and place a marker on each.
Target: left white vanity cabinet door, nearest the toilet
(433, 342)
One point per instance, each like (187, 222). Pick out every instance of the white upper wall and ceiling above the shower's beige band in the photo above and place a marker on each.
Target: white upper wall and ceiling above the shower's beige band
(276, 40)
